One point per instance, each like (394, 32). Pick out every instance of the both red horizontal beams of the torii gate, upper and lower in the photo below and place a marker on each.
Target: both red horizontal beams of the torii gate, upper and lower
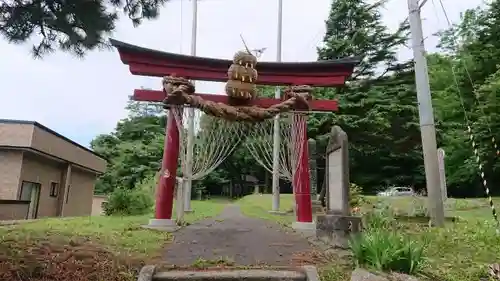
(149, 62)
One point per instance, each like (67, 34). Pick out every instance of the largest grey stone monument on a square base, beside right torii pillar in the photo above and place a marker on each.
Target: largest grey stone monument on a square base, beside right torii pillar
(336, 226)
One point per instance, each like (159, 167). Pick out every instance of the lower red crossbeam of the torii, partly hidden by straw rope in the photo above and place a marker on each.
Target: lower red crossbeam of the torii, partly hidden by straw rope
(159, 96)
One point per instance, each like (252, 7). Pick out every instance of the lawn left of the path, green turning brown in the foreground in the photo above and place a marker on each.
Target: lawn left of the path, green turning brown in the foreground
(86, 248)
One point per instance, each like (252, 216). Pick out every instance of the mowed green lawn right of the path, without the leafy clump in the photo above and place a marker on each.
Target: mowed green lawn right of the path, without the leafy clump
(458, 252)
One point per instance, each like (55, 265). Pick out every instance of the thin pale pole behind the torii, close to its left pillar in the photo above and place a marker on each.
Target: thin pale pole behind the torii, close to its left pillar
(190, 132)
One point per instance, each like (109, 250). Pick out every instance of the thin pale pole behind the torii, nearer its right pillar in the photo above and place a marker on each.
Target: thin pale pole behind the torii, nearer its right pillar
(276, 135)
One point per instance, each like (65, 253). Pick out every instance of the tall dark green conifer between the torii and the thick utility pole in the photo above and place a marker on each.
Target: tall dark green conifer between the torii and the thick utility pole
(377, 109)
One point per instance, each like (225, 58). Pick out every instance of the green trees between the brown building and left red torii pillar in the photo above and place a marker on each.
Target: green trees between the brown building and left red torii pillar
(134, 149)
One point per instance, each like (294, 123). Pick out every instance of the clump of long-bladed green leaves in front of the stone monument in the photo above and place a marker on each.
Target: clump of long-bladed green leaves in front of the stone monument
(387, 251)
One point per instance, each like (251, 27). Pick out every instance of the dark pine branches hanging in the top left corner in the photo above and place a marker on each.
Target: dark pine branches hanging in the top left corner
(74, 26)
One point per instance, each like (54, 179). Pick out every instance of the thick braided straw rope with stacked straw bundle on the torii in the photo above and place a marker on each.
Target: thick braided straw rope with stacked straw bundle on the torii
(241, 86)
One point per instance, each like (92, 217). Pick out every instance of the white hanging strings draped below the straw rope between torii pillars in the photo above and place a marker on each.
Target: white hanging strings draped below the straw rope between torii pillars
(215, 139)
